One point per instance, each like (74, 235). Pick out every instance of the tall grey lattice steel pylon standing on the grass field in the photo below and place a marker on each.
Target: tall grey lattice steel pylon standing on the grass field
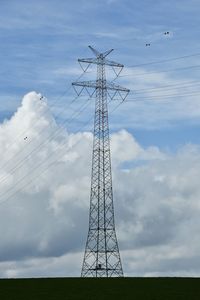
(101, 258)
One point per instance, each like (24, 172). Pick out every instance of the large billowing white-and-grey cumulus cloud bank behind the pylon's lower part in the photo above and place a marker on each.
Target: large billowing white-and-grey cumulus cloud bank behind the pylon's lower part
(45, 187)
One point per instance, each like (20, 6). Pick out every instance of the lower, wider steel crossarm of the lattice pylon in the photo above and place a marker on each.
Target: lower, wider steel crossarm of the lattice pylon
(97, 84)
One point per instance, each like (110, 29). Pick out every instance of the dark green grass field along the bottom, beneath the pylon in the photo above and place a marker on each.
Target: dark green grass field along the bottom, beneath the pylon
(95, 289)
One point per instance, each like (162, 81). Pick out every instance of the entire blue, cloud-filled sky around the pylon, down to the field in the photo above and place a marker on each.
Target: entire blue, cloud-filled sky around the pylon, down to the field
(46, 134)
